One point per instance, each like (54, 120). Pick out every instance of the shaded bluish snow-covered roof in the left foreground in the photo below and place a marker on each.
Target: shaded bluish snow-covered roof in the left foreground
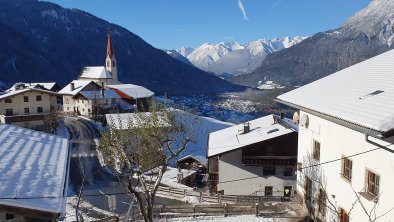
(33, 169)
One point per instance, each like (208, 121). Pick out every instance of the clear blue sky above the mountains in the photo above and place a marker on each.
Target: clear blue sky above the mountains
(176, 23)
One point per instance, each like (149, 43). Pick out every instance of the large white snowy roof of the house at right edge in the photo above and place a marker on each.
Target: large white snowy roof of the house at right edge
(361, 94)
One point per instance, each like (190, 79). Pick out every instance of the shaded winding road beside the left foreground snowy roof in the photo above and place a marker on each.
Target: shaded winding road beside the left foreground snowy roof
(84, 160)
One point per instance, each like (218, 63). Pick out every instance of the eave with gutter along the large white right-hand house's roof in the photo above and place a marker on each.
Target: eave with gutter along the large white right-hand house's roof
(342, 122)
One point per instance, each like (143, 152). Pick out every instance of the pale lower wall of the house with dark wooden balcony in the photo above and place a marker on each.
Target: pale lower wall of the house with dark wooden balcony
(231, 169)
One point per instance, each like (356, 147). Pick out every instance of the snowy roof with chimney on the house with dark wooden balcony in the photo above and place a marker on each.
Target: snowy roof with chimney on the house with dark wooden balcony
(261, 129)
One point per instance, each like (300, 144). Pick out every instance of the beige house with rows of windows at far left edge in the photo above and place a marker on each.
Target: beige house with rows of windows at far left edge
(27, 105)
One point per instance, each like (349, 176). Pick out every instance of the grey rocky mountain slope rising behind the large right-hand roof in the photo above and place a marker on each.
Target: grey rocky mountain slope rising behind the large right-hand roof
(368, 33)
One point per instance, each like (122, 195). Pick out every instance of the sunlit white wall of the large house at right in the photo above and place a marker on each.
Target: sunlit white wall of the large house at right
(336, 142)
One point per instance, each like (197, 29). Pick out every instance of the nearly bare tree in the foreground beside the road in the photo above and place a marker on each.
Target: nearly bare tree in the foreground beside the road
(139, 151)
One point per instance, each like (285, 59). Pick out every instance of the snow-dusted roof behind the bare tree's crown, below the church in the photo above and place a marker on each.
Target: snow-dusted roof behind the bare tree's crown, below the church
(133, 120)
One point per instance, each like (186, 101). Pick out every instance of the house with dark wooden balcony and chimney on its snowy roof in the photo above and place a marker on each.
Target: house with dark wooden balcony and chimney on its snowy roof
(254, 158)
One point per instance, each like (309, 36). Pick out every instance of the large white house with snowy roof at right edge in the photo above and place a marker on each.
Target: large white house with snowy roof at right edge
(345, 142)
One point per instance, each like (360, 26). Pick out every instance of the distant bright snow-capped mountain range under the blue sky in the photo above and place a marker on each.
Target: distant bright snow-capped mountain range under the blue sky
(234, 58)
